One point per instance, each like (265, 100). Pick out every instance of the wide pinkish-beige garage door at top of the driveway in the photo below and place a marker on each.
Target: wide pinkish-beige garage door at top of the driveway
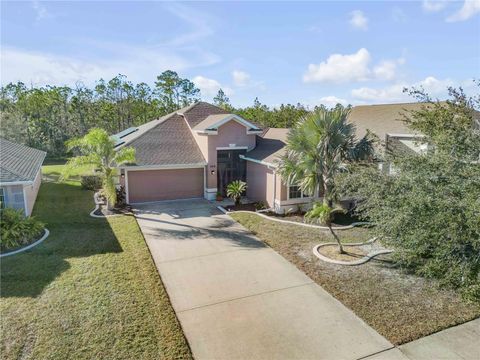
(157, 185)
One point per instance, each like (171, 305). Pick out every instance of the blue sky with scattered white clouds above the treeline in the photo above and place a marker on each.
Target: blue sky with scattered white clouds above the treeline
(313, 52)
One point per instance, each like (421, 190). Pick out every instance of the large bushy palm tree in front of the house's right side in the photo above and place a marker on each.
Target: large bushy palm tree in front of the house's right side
(318, 147)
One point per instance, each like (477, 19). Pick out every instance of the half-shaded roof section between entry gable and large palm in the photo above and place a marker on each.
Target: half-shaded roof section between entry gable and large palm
(270, 145)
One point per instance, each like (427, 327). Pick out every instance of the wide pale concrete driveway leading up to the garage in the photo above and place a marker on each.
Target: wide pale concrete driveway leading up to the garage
(238, 299)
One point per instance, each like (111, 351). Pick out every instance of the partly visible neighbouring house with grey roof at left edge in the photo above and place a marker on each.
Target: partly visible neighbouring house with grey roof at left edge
(20, 175)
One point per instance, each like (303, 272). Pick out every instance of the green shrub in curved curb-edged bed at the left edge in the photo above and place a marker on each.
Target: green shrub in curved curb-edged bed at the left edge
(17, 230)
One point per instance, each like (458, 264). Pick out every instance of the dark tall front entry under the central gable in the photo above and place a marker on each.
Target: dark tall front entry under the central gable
(229, 168)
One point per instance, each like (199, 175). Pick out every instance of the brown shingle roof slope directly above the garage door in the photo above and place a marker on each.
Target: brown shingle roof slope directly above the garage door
(166, 141)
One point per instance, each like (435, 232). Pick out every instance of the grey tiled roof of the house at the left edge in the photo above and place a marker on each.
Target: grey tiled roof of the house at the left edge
(19, 162)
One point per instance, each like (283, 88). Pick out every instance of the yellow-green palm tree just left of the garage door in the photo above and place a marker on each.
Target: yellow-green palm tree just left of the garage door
(98, 149)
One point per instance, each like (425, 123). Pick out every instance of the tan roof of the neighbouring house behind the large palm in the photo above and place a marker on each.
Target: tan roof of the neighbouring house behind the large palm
(382, 119)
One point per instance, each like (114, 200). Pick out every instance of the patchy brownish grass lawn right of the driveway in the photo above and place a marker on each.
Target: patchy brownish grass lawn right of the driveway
(401, 307)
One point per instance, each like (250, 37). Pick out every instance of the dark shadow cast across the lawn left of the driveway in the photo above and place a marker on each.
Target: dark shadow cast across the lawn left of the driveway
(64, 208)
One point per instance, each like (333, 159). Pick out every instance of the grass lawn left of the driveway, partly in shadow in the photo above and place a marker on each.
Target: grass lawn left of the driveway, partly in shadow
(89, 291)
